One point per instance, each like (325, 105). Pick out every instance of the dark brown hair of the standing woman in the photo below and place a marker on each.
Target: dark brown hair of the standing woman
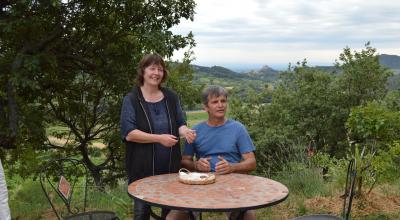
(149, 60)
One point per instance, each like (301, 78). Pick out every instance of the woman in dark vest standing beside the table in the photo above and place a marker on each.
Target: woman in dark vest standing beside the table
(151, 123)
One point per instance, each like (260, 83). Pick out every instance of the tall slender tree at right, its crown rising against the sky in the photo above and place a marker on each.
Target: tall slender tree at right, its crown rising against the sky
(362, 79)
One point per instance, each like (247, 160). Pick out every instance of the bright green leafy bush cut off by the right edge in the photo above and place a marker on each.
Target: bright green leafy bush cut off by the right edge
(376, 127)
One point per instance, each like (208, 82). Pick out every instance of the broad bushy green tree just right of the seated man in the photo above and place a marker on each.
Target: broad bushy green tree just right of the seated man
(300, 111)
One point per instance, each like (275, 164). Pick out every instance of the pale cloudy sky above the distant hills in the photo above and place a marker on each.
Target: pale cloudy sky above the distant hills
(248, 34)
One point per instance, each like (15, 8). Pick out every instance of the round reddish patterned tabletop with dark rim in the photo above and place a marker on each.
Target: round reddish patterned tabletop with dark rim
(229, 192)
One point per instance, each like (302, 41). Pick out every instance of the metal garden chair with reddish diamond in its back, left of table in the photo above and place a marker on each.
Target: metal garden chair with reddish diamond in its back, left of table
(65, 185)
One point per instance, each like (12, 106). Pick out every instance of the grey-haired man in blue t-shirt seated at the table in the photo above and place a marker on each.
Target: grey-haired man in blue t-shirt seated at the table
(222, 145)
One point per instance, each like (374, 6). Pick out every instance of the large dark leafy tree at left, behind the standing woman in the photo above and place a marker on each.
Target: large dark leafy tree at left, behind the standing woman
(69, 63)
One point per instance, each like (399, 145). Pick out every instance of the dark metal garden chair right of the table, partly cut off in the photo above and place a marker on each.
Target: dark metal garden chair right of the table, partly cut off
(348, 197)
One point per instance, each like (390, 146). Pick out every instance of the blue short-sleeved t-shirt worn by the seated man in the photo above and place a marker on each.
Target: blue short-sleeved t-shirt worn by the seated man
(229, 140)
